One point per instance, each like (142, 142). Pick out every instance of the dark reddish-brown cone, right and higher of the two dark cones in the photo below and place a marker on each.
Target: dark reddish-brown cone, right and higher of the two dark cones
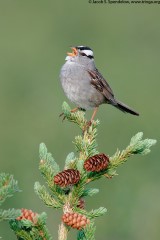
(96, 163)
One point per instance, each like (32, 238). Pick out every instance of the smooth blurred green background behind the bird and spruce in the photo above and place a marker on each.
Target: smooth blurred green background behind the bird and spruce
(34, 38)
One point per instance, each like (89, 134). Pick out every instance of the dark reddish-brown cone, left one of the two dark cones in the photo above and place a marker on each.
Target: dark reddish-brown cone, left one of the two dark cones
(67, 177)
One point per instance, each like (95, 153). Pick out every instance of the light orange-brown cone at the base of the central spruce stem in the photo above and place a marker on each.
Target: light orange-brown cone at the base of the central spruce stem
(75, 220)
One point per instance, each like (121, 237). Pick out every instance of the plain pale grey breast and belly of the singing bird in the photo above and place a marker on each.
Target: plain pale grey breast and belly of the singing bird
(75, 81)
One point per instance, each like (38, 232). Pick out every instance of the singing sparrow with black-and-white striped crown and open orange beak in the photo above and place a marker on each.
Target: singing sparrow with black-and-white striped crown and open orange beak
(84, 85)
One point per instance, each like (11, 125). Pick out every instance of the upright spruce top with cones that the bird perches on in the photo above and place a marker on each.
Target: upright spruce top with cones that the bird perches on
(68, 187)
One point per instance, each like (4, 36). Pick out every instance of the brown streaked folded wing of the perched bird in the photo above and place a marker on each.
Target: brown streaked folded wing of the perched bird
(98, 81)
